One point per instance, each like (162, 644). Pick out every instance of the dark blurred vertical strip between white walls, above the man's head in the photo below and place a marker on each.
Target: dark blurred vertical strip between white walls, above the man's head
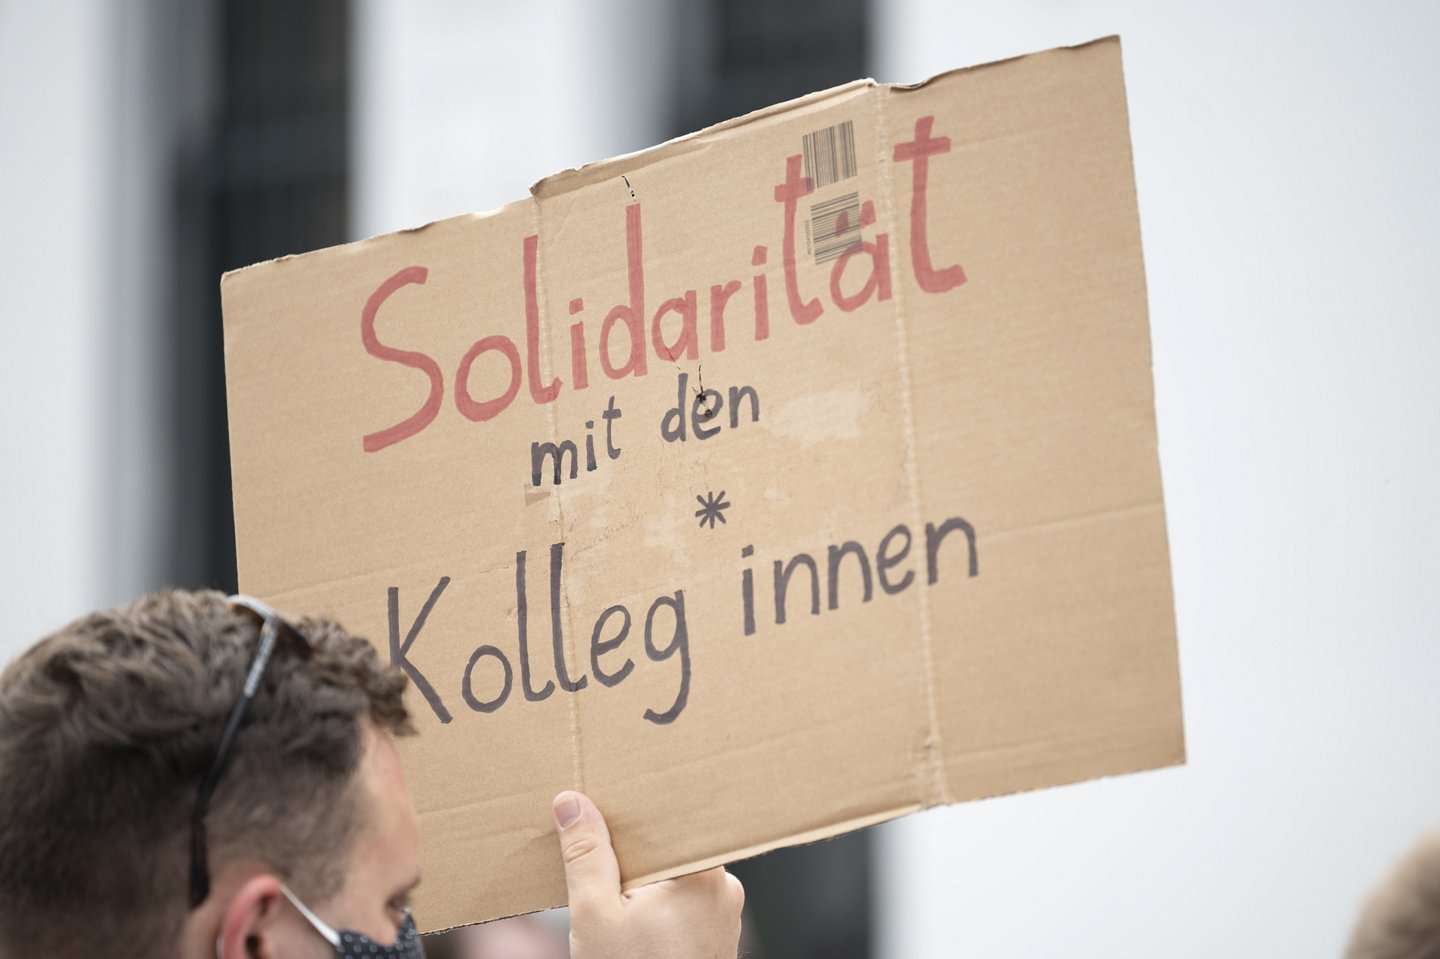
(263, 175)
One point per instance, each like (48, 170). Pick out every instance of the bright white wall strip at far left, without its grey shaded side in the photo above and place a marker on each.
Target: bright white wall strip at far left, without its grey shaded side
(55, 269)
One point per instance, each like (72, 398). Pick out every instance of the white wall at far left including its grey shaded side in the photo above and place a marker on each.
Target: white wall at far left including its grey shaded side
(83, 369)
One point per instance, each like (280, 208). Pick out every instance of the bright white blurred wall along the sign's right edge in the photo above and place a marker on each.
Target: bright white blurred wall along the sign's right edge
(1287, 159)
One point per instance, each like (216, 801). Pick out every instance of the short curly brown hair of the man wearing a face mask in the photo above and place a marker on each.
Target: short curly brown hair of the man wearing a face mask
(107, 729)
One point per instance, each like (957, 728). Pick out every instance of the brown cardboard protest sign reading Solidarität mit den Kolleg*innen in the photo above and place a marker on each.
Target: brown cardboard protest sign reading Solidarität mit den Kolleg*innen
(986, 400)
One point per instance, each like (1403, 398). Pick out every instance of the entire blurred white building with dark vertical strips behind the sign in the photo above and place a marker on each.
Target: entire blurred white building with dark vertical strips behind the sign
(1285, 162)
